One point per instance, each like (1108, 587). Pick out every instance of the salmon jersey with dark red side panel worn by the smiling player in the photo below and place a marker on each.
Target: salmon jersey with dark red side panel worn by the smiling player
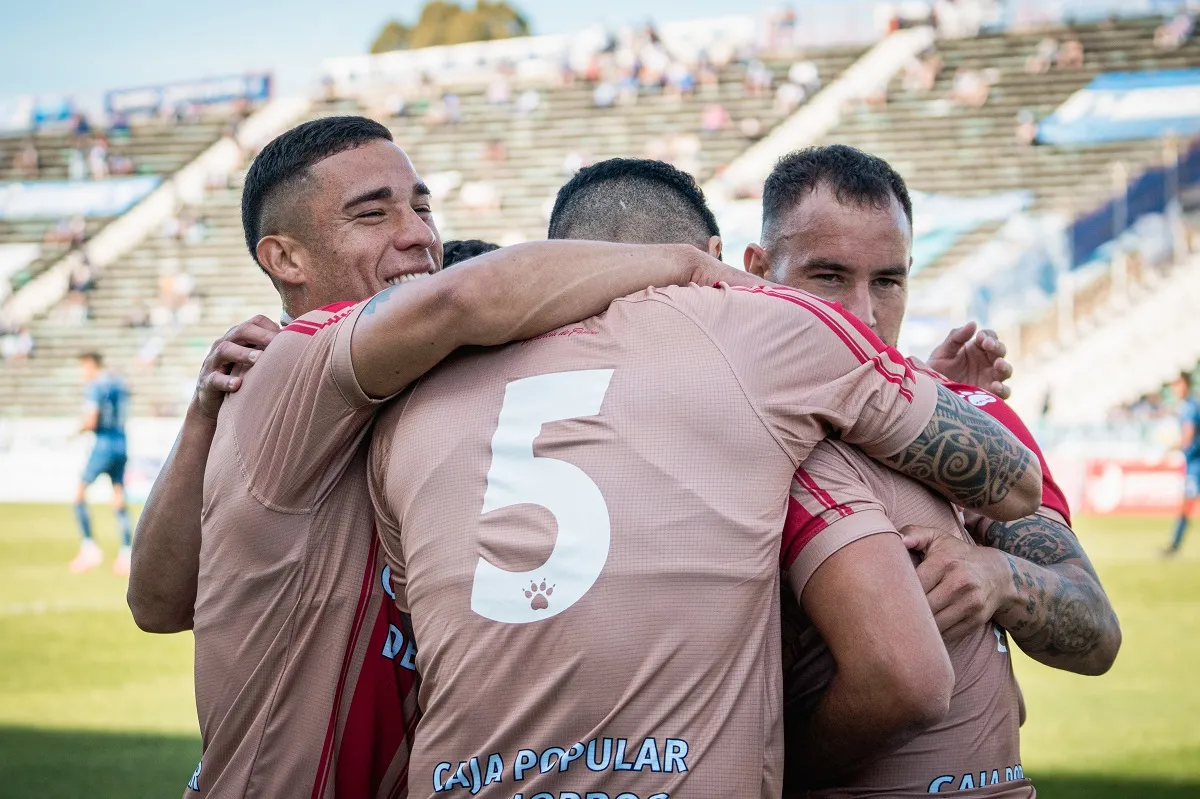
(303, 665)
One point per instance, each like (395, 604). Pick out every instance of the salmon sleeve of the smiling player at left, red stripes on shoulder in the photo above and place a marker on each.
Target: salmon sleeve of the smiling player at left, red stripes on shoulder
(301, 412)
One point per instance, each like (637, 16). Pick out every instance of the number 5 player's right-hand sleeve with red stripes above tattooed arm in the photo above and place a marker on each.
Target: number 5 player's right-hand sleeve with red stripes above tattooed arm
(811, 370)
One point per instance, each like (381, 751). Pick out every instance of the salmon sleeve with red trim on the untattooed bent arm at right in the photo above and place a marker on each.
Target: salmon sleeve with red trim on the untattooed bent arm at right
(831, 506)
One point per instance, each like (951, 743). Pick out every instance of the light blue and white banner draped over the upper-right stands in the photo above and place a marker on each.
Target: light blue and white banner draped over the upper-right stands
(1120, 106)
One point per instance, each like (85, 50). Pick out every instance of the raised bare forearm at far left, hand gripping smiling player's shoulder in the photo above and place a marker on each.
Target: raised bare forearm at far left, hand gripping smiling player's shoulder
(166, 555)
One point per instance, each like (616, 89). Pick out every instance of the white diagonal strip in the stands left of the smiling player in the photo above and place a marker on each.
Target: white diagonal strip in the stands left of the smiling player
(128, 231)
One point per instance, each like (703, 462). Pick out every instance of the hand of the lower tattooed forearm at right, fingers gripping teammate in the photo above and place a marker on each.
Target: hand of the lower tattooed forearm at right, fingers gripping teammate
(964, 584)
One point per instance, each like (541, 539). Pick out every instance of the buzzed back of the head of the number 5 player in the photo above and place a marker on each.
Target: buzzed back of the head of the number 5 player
(633, 201)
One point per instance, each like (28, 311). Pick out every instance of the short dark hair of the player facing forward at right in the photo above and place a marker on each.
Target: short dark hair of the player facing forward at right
(854, 176)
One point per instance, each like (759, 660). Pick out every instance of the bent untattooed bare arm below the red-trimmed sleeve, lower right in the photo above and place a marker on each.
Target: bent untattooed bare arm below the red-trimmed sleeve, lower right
(895, 678)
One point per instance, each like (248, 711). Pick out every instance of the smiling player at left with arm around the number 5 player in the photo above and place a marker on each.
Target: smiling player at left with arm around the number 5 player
(303, 670)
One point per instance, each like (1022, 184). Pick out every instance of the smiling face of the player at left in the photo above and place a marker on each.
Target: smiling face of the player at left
(363, 223)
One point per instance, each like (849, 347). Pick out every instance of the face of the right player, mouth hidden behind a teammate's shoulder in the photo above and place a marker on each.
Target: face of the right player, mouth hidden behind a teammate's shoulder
(849, 254)
